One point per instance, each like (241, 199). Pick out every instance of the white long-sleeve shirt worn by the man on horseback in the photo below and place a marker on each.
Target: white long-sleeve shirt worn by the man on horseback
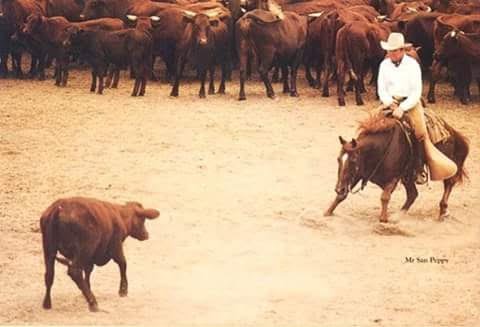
(402, 81)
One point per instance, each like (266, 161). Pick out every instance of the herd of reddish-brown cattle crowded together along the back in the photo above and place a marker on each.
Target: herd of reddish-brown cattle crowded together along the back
(335, 38)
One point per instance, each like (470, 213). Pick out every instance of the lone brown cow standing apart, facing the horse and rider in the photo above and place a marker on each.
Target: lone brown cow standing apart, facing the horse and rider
(89, 232)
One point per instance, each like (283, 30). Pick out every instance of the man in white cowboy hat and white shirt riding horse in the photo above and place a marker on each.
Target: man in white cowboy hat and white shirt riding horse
(400, 90)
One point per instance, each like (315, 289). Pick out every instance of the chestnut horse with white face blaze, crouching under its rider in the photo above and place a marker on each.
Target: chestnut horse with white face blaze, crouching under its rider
(383, 154)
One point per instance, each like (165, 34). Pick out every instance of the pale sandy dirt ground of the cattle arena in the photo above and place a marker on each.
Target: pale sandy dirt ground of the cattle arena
(241, 186)
